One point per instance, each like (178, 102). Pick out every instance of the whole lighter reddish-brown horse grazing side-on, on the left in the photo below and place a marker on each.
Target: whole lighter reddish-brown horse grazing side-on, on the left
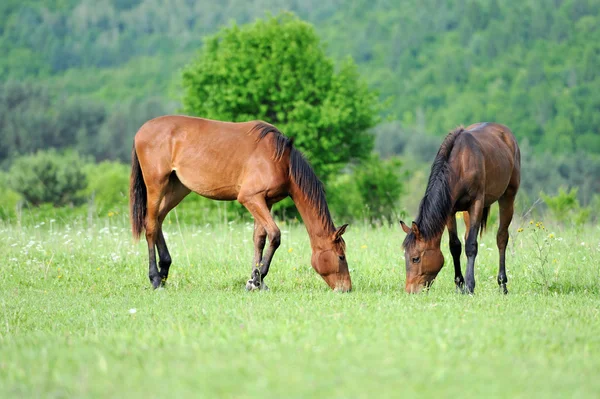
(251, 162)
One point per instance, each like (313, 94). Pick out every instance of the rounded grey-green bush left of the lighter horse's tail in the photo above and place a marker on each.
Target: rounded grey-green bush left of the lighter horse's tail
(49, 177)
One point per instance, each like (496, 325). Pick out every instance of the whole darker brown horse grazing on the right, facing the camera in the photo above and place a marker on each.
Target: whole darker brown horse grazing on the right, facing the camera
(474, 168)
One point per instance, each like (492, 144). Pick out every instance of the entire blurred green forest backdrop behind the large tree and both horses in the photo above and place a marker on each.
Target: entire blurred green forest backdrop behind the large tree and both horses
(84, 75)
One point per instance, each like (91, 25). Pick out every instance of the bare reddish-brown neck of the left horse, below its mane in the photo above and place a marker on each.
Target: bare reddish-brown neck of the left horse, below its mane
(319, 227)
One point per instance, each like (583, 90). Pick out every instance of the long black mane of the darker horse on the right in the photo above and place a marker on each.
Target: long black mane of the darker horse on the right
(436, 205)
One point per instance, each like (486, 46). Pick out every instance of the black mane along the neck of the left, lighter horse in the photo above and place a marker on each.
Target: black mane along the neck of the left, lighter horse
(300, 171)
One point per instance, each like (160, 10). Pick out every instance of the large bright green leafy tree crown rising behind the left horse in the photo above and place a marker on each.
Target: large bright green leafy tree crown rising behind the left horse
(276, 70)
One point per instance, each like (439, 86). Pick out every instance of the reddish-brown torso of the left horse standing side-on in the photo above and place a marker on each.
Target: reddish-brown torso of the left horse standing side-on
(211, 158)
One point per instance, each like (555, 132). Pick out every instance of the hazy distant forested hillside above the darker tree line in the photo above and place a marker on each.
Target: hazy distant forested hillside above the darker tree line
(532, 65)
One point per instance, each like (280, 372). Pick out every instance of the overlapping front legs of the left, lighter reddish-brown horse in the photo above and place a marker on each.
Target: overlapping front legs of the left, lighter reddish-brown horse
(258, 207)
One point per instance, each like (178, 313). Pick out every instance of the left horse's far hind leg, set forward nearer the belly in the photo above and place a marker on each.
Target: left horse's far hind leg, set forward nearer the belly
(174, 194)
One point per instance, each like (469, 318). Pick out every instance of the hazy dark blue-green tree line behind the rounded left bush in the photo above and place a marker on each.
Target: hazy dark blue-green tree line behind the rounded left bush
(30, 121)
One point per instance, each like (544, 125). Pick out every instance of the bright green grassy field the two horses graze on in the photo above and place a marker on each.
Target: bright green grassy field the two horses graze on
(78, 318)
